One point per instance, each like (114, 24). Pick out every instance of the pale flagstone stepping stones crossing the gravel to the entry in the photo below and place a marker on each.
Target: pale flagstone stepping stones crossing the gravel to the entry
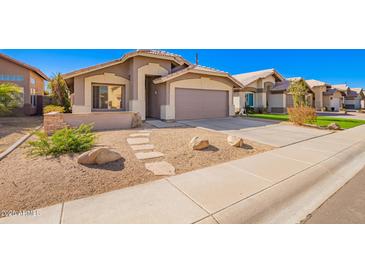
(140, 141)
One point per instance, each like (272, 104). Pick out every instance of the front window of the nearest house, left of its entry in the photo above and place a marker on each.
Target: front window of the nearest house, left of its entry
(108, 97)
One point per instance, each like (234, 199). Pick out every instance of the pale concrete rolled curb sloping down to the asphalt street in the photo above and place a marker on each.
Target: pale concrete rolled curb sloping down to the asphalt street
(291, 200)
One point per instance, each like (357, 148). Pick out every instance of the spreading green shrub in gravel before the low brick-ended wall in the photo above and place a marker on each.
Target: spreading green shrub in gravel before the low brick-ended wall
(63, 141)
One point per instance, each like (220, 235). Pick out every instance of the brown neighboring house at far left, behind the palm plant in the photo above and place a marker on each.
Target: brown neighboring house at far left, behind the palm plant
(28, 78)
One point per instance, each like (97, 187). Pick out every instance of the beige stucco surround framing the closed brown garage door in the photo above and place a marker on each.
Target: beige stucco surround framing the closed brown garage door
(194, 81)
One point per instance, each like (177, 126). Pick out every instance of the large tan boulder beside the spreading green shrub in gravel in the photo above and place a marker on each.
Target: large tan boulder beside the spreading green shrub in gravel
(98, 156)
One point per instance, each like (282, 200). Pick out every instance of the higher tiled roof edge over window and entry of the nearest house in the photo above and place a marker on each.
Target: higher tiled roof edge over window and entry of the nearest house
(141, 52)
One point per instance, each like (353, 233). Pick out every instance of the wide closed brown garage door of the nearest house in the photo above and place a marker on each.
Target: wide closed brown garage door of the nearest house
(200, 103)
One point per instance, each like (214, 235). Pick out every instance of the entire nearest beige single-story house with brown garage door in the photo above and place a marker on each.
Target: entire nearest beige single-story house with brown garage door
(156, 84)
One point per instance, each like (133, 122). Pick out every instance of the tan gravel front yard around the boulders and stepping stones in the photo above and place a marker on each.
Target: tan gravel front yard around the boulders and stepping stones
(30, 183)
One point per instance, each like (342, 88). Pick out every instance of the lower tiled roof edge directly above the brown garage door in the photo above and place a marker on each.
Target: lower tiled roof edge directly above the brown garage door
(200, 70)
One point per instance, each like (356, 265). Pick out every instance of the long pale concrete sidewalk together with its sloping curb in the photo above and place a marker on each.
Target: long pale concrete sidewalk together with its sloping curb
(279, 186)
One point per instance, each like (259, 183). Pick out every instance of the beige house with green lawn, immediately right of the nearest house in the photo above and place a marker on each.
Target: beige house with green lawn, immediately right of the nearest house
(256, 92)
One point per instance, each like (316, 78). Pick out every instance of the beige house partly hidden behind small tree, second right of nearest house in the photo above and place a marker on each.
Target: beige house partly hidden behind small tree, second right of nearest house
(280, 98)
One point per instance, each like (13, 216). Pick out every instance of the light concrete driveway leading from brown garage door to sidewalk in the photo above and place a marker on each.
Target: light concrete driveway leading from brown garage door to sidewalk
(267, 132)
